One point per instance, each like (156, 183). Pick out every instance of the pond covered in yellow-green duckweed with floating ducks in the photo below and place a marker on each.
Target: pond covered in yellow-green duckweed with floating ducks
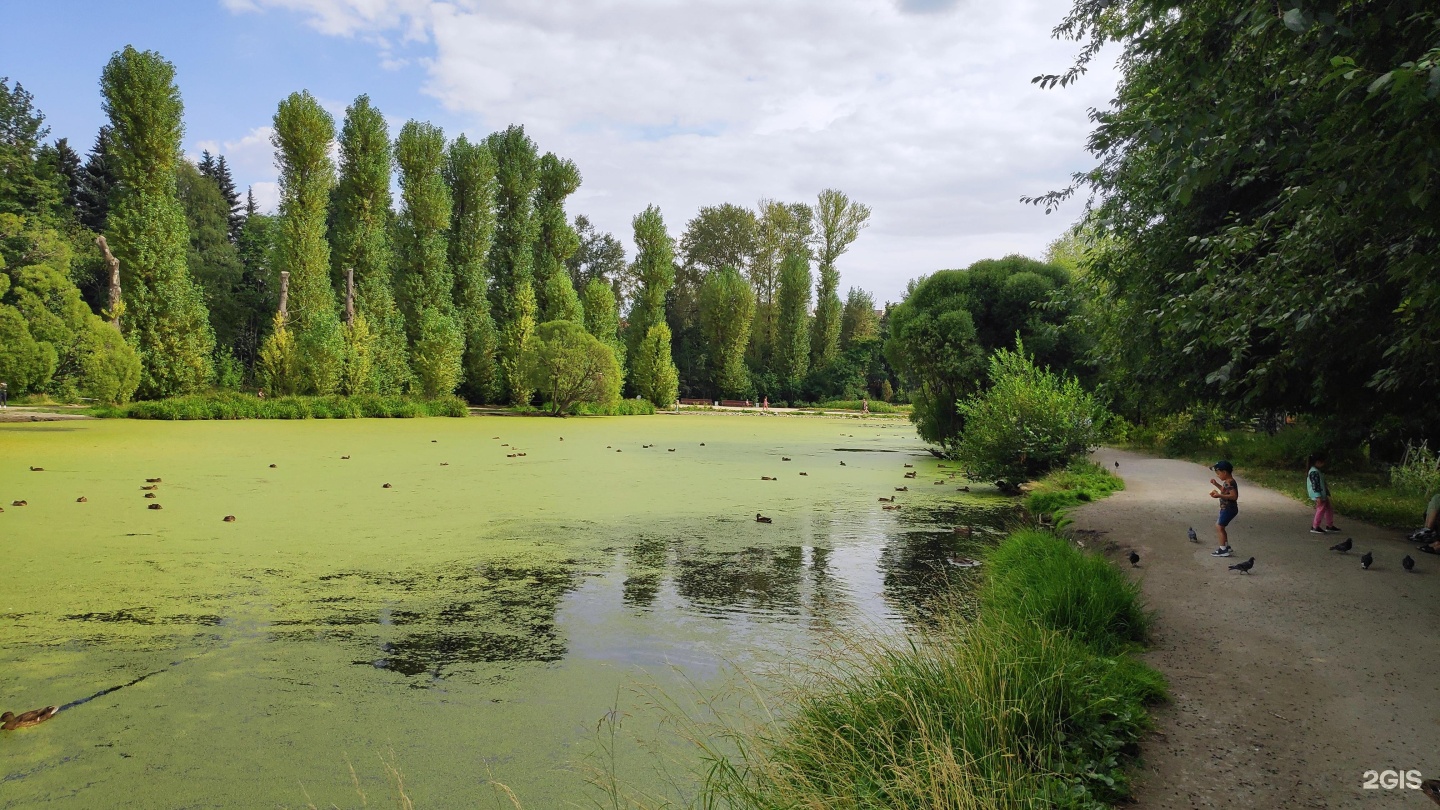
(463, 599)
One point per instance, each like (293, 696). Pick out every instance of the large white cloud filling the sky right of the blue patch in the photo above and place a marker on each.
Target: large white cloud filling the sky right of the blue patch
(921, 109)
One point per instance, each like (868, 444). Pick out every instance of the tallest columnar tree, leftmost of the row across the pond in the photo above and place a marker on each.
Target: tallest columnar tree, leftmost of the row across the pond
(165, 316)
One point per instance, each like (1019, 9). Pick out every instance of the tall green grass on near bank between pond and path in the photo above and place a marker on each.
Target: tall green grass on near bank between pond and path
(1036, 704)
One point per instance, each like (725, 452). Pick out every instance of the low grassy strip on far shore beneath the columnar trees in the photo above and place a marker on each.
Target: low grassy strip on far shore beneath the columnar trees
(230, 406)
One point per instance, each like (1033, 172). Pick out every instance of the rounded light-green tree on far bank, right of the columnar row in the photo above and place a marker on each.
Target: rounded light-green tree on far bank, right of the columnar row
(570, 365)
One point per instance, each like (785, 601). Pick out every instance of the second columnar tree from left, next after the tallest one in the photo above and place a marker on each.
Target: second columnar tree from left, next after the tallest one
(303, 136)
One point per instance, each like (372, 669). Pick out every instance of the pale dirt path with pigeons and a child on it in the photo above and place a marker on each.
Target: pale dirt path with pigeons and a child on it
(1292, 682)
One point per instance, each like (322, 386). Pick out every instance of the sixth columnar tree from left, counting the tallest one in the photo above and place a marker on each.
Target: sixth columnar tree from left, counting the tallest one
(512, 257)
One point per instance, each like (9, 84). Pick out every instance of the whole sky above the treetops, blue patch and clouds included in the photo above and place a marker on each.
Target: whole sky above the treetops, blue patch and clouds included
(924, 110)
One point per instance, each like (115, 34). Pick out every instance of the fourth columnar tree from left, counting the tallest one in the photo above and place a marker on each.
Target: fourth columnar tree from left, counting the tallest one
(426, 280)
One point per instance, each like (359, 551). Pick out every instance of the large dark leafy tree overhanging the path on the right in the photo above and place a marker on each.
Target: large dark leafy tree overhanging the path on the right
(1265, 194)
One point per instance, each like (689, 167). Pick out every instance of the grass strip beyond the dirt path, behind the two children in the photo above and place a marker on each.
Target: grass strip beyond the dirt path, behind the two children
(1360, 489)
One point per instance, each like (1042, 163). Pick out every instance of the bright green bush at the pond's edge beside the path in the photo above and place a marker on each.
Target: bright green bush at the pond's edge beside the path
(1029, 423)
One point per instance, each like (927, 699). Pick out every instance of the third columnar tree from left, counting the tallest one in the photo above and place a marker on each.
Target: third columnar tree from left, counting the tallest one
(361, 243)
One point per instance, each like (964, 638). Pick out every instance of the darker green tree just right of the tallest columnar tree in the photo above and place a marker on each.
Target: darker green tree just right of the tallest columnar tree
(212, 260)
